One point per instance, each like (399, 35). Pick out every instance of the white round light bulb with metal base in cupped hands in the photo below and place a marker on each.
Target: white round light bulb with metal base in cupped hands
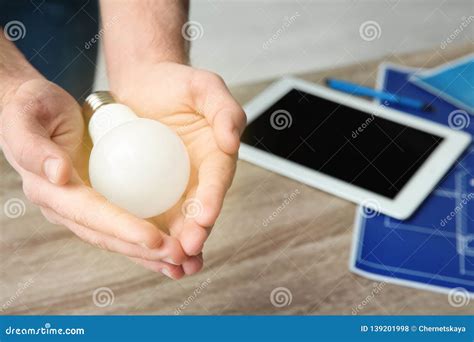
(138, 164)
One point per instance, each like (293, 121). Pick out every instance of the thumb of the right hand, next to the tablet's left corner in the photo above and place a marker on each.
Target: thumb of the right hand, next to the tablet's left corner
(213, 99)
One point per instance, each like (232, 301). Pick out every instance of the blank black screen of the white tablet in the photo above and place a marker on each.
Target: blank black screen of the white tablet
(357, 147)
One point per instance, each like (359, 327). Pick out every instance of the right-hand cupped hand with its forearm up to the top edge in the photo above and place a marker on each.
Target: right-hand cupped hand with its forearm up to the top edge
(146, 51)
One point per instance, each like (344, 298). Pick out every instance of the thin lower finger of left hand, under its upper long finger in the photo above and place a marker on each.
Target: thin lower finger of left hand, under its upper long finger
(104, 241)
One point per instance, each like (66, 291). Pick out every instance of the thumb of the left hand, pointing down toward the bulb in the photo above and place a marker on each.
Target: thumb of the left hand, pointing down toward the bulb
(31, 146)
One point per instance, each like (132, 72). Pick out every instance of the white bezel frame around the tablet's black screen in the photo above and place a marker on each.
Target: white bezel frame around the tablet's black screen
(412, 194)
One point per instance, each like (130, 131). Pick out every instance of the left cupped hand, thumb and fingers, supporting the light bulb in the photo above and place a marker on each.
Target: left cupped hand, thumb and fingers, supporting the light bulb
(42, 133)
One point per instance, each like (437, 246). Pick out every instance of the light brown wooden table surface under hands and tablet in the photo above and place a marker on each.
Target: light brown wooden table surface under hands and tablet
(46, 270)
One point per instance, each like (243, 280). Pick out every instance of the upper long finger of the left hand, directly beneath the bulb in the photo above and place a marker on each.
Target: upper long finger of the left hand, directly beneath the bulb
(84, 206)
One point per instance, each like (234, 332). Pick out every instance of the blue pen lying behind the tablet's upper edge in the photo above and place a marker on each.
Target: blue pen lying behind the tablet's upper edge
(356, 89)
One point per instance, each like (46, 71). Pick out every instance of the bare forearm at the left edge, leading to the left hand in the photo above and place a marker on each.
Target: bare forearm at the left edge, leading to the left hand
(14, 69)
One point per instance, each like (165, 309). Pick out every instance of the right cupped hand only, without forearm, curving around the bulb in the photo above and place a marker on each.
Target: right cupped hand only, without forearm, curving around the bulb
(197, 105)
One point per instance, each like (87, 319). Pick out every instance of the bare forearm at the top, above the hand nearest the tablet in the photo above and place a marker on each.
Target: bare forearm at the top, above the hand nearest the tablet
(142, 32)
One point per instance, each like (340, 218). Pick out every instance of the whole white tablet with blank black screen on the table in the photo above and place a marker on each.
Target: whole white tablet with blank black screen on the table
(384, 159)
